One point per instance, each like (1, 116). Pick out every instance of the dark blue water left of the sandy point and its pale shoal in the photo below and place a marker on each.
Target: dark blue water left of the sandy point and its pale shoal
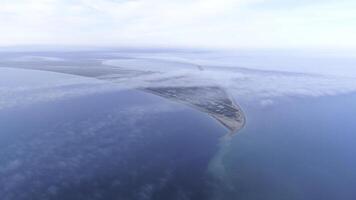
(121, 145)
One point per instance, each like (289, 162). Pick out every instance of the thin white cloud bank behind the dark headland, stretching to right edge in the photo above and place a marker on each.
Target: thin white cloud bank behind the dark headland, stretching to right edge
(271, 76)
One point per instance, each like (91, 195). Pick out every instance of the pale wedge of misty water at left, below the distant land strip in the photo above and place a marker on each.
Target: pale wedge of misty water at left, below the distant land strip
(37, 87)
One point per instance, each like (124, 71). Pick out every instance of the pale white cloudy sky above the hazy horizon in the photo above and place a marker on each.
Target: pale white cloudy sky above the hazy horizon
(180, 23)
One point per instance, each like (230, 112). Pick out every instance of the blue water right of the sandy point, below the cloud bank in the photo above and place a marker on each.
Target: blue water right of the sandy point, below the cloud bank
(299, 148)
